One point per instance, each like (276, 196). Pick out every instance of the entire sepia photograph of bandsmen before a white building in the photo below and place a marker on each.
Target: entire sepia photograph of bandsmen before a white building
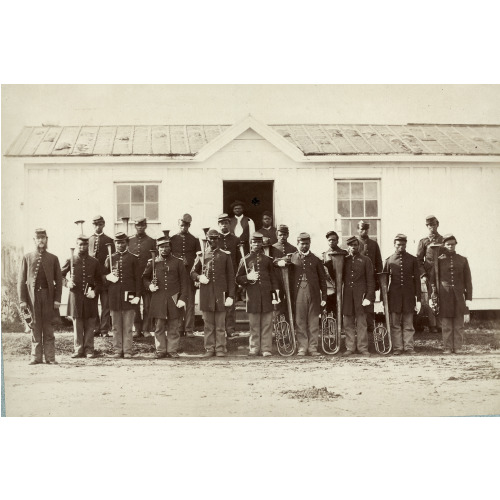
(250, 250)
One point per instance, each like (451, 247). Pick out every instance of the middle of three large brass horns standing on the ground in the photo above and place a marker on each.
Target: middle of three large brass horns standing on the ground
(331, 327)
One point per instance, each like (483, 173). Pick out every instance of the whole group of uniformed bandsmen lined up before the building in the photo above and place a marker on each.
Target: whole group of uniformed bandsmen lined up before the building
(122, 272)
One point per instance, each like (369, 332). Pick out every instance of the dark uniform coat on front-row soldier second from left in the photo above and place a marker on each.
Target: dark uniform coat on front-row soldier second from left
(86, 271)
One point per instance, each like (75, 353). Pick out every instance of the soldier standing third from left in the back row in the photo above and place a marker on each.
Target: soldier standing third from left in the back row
(185, 246)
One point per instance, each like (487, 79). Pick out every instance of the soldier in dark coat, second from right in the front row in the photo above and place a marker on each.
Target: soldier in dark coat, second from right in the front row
(404, 288)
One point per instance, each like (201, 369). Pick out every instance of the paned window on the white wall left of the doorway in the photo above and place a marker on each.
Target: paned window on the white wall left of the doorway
(137, 200)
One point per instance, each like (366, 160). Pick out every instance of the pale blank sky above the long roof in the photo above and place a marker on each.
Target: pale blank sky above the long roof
(27, 105)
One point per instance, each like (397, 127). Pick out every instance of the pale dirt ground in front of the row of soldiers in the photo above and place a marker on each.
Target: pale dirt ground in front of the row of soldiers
(426, 384)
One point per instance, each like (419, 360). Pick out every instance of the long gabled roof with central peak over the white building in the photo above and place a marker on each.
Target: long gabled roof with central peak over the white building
(300, 142)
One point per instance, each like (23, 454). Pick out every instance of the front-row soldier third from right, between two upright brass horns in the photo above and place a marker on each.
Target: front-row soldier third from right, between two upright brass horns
(359, 292)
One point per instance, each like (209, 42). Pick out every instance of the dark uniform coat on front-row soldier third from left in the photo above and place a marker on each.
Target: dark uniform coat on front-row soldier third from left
(128, 272)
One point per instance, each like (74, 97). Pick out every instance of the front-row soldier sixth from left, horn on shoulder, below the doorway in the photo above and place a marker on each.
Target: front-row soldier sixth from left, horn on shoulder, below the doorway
(262, 293)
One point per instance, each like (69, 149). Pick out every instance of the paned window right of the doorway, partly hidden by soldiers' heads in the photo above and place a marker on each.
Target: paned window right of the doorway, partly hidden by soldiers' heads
(358, 200)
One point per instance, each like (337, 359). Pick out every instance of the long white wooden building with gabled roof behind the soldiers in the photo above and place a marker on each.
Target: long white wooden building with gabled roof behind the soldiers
(312, 177)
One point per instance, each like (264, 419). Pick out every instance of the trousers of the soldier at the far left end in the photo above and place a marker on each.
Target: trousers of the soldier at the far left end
(42, 338)
